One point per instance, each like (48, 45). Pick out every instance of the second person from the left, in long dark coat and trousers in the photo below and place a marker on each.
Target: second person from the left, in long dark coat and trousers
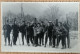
(15, 28)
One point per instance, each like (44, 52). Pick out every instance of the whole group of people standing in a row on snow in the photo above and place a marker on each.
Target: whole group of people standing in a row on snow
(37, 33)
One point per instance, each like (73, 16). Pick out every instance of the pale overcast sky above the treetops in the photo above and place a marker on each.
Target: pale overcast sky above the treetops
(37, 8)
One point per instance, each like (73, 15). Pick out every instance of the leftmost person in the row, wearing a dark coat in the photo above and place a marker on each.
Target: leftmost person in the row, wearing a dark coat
(7, 30)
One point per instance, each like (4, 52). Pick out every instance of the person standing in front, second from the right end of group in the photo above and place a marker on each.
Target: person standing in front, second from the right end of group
(61, 35)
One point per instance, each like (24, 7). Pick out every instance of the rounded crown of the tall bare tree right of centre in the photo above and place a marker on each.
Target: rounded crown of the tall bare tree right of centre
(52, 13)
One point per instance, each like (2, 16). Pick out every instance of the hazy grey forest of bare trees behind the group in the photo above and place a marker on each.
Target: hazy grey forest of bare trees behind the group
(50, 14)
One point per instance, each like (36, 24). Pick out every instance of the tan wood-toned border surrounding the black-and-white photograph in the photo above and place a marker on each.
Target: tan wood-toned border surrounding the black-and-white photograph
(38, 1)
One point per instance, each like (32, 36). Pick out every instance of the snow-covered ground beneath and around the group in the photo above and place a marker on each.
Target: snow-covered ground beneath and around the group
(24, 48)
